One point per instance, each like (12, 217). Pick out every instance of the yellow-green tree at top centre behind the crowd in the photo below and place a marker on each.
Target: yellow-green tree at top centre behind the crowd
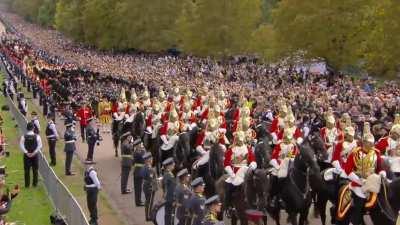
(218, 28)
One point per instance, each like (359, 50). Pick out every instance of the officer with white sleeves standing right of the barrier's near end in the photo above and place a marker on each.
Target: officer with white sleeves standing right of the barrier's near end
(92, 187)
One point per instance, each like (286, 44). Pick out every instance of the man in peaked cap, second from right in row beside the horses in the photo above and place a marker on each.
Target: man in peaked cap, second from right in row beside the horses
(197, 201)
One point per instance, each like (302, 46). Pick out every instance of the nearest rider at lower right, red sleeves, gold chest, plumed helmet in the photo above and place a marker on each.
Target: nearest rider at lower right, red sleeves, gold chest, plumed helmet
(361, 163)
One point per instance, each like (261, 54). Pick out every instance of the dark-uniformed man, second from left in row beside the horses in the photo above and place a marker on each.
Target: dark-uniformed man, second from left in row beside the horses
(138, 163)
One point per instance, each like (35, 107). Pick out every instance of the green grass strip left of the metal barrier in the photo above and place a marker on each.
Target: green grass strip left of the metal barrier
(31, 206)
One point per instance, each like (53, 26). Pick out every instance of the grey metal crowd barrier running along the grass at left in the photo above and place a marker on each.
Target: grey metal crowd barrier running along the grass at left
(62, 199)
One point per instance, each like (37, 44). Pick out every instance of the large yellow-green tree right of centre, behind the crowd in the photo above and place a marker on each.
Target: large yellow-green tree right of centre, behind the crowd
(320, 28)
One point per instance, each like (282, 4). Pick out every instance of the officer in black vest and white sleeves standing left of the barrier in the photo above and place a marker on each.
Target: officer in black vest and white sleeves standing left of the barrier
(30, 145)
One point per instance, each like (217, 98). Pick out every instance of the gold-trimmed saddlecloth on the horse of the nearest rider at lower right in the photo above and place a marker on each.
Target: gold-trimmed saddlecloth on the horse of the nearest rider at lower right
(345, 200)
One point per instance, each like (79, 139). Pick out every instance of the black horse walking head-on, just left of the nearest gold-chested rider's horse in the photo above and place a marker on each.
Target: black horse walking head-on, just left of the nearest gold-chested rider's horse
(296, 188)
